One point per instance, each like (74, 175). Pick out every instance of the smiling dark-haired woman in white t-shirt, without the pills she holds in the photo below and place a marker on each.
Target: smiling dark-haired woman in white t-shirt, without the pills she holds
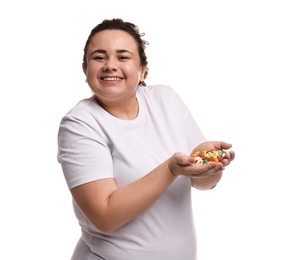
(125, 153)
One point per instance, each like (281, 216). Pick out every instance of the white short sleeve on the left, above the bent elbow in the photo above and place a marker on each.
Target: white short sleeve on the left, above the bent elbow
(83, 154)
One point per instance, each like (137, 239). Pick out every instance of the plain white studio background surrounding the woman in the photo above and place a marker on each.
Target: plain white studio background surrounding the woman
(226, 59)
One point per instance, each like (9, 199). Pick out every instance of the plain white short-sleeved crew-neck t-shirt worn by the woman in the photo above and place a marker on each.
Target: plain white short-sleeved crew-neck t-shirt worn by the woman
(94, 145)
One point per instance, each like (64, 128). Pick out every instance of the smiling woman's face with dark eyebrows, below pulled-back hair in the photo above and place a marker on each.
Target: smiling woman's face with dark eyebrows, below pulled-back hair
(113, 68)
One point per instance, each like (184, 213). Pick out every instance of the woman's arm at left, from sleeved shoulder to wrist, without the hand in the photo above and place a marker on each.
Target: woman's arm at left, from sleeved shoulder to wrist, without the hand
(107, 206)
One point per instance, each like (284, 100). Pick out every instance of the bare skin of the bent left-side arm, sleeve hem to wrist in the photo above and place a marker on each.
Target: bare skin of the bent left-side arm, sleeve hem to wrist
(121, 205)
